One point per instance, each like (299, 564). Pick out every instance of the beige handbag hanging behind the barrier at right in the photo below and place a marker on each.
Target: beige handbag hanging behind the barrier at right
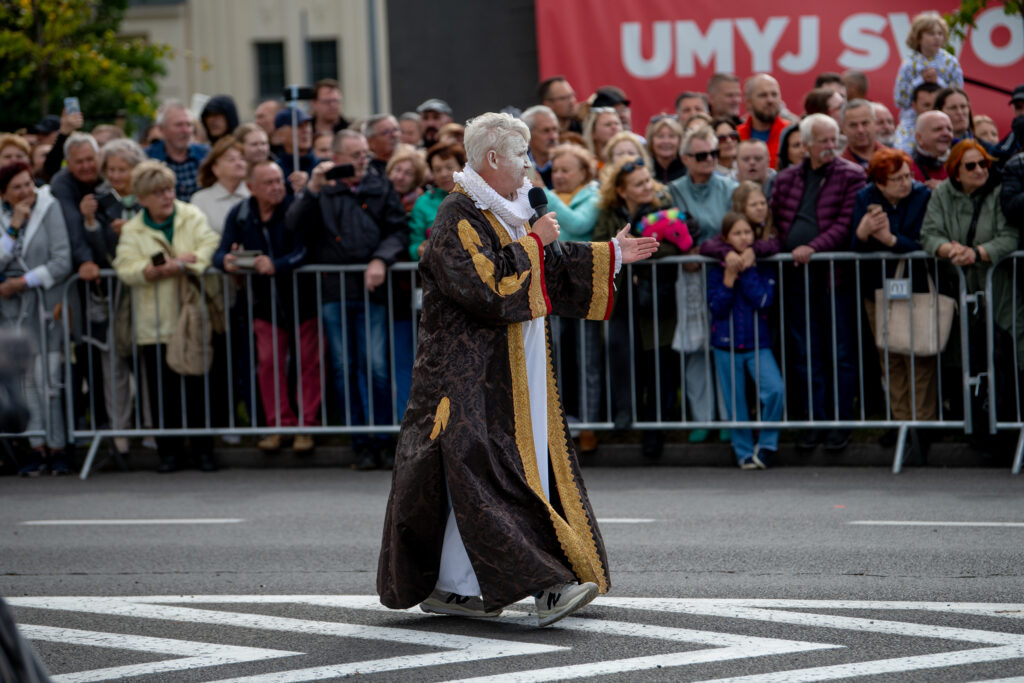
(933, 317)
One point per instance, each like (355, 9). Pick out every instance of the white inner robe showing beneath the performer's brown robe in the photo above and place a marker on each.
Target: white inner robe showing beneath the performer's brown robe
(456, 575)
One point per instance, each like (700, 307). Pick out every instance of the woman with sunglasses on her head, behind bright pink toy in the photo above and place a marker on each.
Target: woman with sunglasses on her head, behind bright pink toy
(630, 195)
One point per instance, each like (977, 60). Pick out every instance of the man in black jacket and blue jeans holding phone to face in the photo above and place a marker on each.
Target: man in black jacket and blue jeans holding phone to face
(356, 220)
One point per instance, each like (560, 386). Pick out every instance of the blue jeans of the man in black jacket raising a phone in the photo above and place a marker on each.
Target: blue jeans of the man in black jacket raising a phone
(351, 351)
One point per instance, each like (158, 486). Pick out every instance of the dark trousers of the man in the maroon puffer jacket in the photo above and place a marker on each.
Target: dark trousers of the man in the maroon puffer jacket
(828, 400)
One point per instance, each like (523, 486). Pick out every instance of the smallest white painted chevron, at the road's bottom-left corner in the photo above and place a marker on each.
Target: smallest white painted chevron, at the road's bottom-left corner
(196, 655)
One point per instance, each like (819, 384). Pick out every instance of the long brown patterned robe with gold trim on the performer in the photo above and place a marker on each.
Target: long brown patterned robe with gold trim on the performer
(468, 419)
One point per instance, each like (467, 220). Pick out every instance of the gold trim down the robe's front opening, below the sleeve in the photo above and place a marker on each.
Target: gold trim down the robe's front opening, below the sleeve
(575, 536)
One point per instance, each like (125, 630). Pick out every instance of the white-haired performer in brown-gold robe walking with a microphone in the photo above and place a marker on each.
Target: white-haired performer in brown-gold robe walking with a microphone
(476, 522)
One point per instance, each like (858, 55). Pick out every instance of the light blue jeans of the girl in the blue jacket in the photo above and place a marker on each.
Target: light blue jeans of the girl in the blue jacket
(733, 374)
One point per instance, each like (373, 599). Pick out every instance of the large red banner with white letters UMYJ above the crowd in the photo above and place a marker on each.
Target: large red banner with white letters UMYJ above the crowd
(655, 50)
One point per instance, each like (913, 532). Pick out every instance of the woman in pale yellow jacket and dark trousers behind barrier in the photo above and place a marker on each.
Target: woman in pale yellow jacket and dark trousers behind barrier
(166, 241)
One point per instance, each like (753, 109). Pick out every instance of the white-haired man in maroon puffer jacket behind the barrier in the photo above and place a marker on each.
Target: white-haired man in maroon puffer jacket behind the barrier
(813, 204)
